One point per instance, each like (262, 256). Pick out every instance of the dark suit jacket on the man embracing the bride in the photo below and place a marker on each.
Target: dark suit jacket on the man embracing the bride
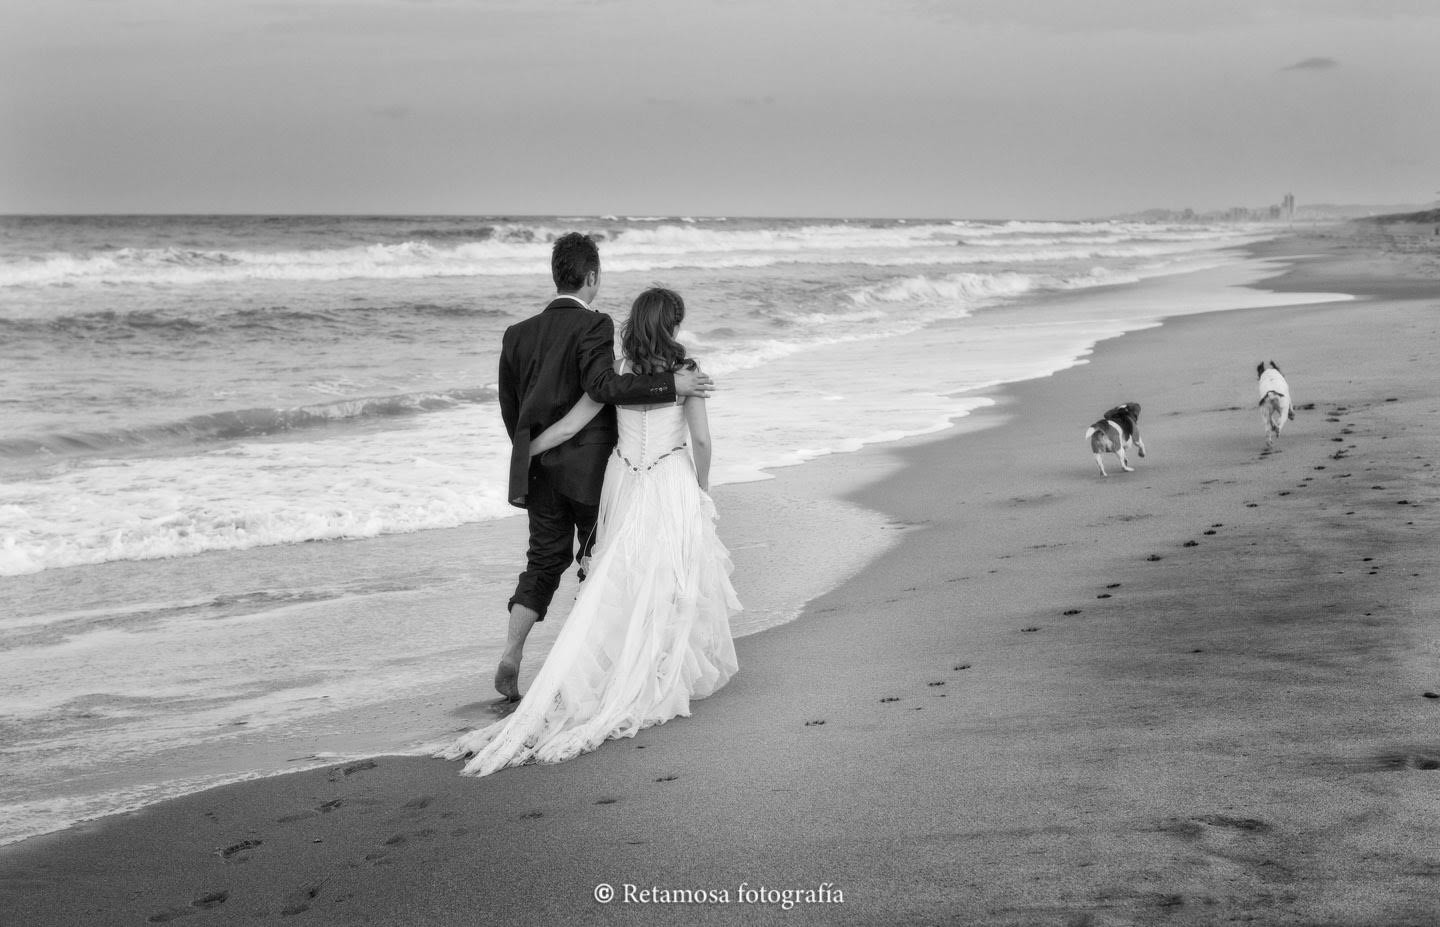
(546, 363)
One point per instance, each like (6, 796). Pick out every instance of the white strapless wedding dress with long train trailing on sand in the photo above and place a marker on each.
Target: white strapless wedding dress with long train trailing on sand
(650, 630)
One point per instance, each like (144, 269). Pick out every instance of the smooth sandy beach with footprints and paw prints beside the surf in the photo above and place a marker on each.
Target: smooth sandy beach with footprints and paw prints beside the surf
(1194, 695)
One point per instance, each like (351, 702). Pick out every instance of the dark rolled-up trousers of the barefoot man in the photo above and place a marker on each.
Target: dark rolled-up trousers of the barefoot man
(557, 523)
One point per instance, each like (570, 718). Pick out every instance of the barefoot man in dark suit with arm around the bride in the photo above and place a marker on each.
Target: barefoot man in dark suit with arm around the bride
(546, 363)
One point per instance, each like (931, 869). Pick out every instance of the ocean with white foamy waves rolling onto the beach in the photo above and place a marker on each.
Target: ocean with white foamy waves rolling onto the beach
(253, 469)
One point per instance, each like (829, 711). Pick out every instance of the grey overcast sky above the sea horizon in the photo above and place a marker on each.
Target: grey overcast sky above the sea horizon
(963, 109)
